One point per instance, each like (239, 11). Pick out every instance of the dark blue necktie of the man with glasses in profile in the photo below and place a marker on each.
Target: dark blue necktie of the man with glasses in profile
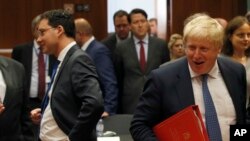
(46, 97)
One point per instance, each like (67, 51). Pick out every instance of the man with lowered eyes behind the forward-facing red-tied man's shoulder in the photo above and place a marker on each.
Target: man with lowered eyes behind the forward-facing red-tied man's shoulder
(122, 30)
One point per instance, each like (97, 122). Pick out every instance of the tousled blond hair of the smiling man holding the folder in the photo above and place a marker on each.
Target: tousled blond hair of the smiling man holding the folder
(204, 28)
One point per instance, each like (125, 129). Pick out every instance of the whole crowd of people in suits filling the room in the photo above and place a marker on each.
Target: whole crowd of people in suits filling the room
(60, 84)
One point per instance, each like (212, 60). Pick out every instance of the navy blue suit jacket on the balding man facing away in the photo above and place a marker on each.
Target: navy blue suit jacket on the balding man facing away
(105, 69)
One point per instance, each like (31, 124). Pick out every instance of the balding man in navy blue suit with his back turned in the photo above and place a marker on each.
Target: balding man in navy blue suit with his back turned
(104, 65)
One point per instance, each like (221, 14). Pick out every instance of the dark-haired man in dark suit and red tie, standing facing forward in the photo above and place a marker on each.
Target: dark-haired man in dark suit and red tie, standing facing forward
(131, 77)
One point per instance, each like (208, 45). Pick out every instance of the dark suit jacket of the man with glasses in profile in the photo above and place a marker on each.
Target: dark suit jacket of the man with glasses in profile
(76, 100)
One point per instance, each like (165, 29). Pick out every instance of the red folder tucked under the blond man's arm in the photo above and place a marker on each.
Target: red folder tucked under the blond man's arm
(186, 125)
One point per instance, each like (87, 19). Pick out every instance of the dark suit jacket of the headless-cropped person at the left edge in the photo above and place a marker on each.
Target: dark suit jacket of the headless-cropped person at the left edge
(15, 124)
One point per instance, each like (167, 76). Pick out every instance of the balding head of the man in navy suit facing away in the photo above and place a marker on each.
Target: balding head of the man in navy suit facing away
(83, 26)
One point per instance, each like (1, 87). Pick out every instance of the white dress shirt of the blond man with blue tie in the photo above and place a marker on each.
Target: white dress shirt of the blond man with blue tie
(222, 101)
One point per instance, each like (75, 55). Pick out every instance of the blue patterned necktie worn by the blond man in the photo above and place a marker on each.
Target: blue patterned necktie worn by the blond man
(212, 123)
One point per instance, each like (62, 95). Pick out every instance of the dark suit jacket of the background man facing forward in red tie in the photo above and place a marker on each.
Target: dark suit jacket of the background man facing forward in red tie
(130, 77)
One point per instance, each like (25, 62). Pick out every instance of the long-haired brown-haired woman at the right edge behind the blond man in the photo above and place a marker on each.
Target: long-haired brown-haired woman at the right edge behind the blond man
(236, 44)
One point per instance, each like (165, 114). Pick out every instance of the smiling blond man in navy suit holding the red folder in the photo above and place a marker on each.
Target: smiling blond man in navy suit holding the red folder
(179, 84)
